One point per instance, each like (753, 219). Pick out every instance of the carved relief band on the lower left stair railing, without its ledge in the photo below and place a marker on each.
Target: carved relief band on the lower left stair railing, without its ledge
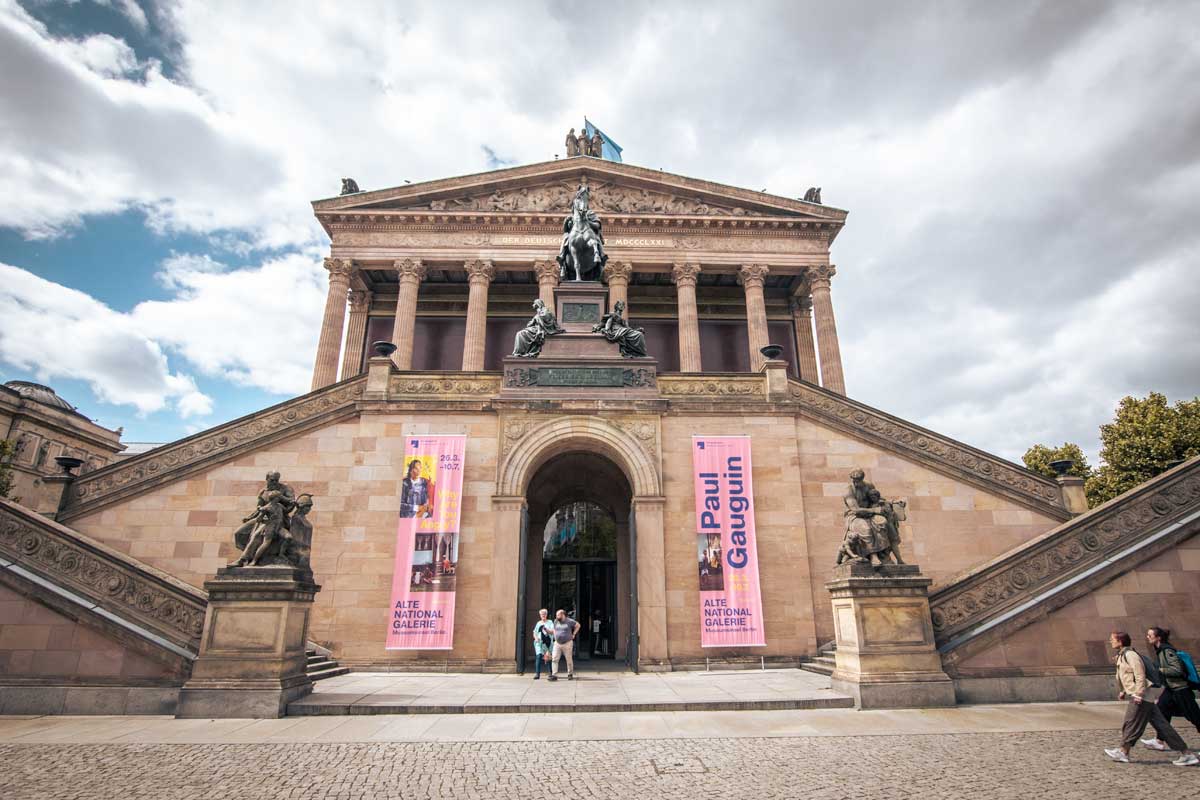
(112, 585)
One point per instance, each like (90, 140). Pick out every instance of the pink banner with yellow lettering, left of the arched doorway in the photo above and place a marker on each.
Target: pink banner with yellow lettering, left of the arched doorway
(423, 585)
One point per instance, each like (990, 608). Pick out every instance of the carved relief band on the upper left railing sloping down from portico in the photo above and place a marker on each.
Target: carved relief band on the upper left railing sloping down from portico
(170, 459)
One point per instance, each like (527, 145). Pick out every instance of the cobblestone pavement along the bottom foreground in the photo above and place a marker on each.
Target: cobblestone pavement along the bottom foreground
(1028, 766)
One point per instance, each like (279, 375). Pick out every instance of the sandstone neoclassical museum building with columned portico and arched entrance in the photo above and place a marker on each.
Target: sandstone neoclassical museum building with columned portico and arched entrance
(579, 494)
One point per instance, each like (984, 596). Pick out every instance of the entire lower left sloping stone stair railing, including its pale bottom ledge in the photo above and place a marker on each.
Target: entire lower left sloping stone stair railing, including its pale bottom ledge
(67, 568)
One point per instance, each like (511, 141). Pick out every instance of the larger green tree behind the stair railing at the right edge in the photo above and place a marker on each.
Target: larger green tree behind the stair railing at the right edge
(1148, 437)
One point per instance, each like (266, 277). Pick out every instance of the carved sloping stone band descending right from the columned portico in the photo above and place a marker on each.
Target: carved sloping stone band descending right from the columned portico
(1033, 489)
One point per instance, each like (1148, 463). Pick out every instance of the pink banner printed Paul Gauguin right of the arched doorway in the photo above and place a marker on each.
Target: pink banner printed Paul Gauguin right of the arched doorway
(727, 552)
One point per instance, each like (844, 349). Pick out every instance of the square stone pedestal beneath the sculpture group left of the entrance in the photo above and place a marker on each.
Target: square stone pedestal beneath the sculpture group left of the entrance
(253, 651)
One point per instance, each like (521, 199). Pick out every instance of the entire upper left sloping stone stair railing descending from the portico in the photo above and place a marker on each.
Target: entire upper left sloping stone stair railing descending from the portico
(179, 459)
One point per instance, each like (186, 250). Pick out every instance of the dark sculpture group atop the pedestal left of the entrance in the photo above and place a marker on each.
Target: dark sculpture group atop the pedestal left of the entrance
(278, 533)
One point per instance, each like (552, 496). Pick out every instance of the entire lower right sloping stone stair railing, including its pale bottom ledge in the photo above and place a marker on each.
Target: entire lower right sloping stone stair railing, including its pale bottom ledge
(997, 599)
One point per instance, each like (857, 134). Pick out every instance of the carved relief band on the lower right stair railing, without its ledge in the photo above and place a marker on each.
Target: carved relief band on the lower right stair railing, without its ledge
(1072, 550)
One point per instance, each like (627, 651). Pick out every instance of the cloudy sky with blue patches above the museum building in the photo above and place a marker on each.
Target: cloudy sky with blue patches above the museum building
(1023, 181)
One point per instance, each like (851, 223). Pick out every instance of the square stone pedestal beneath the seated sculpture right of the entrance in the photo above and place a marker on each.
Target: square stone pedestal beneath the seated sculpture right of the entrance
(886, 655)
